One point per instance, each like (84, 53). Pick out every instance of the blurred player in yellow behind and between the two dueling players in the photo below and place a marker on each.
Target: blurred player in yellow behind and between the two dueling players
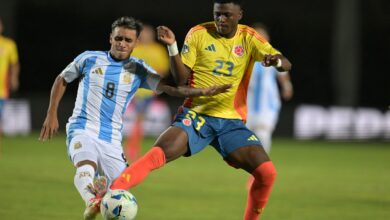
(154, 54)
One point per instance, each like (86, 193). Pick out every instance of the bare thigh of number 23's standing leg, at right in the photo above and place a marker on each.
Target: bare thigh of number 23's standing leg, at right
(247, 158)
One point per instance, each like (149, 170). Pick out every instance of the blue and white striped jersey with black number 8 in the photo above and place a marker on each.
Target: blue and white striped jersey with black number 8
(105, 89)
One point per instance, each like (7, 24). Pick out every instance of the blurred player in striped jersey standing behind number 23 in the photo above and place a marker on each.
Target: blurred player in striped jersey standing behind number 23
(263, 96)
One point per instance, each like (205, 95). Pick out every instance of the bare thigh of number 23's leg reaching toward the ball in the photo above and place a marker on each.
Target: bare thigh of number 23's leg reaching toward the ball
(173, 141)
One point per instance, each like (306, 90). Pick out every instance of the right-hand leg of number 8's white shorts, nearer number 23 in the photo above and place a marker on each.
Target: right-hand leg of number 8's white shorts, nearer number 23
(111, 161)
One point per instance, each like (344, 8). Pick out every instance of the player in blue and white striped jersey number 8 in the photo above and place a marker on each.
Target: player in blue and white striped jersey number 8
(107, 83)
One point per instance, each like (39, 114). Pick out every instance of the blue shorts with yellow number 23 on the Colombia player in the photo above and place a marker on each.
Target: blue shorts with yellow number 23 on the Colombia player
(225, 135)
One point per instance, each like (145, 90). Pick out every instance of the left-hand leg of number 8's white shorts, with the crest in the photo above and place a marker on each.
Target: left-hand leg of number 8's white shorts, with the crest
(82, 148)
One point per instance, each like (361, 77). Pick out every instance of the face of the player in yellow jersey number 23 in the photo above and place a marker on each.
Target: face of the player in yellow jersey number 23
(226, 17)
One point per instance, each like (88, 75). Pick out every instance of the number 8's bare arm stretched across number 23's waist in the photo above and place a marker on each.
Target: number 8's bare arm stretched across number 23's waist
(185, 91)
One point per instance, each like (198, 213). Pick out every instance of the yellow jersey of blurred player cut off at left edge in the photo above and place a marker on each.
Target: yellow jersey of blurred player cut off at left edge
(8, 56)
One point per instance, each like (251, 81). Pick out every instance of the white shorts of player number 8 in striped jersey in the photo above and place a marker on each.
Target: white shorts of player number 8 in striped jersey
(108, 157)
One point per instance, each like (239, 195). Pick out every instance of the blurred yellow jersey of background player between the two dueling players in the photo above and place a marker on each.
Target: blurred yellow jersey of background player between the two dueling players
(156, 56)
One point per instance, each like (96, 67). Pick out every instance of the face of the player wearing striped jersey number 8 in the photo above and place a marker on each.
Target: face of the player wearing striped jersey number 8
(123, 41)
